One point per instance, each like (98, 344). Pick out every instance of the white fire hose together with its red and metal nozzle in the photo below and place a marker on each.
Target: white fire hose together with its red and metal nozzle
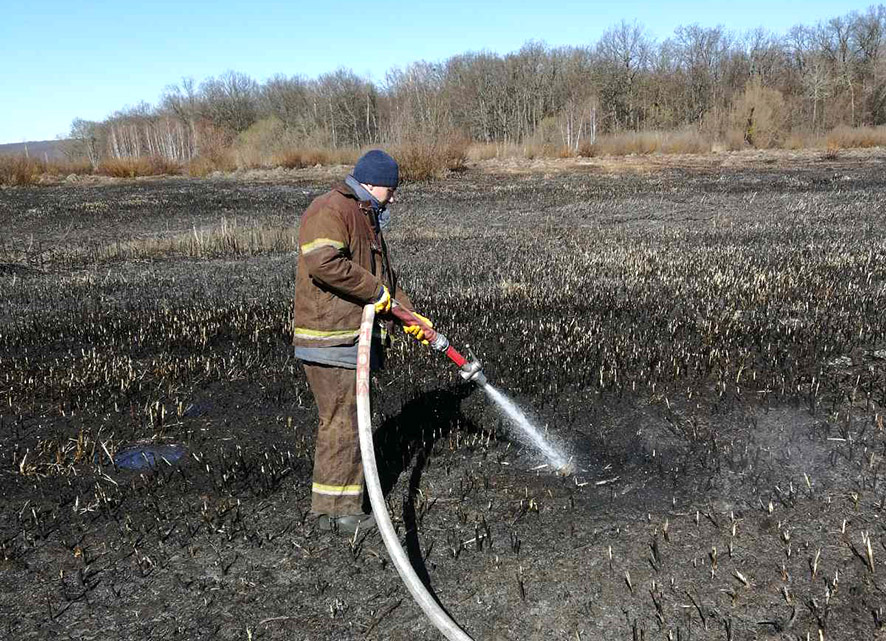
(471, 371)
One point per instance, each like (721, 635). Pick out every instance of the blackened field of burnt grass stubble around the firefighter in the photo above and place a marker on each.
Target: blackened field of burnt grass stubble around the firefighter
(709, 346)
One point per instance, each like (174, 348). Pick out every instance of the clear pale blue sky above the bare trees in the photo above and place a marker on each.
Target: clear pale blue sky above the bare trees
(65, 59)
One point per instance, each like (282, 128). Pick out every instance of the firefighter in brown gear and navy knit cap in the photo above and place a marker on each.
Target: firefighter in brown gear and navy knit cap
(343, 264)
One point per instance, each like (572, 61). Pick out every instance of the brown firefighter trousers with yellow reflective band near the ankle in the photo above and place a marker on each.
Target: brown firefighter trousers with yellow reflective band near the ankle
(338, 469)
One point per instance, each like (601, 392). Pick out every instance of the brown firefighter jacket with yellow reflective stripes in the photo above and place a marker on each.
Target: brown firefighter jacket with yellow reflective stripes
(343, 262)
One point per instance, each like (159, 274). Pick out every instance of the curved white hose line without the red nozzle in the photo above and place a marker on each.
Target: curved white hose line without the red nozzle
(431, 608)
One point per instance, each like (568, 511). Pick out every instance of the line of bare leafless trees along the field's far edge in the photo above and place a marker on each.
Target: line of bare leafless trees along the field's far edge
(753, 89)
